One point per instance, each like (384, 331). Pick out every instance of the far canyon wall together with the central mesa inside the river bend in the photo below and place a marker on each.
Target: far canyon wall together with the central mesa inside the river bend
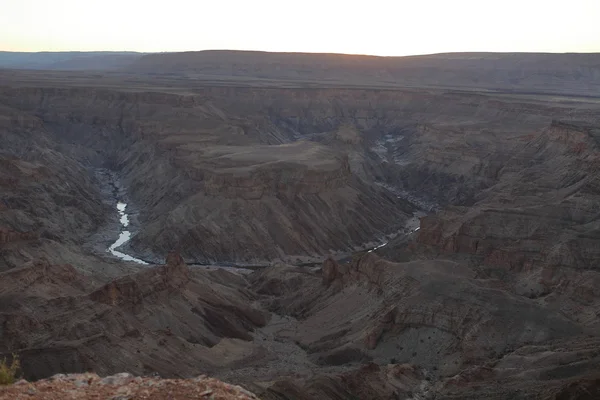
(227, 148)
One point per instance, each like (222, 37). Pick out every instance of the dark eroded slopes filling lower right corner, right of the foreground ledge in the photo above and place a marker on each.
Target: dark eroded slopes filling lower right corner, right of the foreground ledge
(429, 329)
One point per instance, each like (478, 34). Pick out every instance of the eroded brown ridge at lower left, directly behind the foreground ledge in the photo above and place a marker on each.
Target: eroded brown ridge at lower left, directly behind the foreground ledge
(168, 314)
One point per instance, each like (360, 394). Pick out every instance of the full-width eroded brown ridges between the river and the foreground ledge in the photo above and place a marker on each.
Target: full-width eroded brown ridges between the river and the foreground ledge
(369, 329)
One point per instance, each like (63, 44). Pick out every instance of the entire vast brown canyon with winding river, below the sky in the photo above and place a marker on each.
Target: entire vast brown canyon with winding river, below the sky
(307, 237)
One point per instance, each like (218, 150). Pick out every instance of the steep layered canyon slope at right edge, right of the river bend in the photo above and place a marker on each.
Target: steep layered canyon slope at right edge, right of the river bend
(537, 228)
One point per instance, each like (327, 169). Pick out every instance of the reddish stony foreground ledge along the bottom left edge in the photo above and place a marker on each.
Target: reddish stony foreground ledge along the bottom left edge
(123, 387)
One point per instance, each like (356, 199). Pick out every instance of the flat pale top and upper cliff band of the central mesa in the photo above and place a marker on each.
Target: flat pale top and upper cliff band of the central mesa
(311, 170)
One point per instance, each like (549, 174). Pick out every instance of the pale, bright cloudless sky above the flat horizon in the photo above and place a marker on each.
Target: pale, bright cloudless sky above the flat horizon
(378, 27)
